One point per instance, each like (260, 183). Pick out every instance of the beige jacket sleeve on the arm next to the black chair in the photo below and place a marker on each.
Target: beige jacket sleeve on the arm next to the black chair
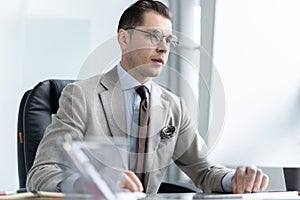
(49, 167)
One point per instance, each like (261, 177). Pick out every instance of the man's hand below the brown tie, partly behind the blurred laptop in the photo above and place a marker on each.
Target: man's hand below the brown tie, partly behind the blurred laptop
(131, 182)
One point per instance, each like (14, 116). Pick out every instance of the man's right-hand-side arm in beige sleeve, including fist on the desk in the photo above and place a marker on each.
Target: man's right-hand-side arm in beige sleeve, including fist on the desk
(210, 178)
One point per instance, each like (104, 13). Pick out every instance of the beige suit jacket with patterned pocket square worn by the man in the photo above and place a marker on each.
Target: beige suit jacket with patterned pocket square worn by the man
(95, 107)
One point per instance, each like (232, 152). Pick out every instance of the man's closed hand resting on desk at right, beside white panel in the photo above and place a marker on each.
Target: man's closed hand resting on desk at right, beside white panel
(249, 179)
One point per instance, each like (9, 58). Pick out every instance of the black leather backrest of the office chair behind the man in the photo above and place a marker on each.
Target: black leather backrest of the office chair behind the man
(35, 110)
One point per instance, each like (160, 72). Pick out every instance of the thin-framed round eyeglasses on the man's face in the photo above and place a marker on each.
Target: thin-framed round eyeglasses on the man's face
(156, 36)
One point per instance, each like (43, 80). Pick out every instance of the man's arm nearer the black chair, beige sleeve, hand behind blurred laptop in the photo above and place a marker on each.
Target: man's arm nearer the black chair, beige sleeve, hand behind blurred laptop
(50, 171)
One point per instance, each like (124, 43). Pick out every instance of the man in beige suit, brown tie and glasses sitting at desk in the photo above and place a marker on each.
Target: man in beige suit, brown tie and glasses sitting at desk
(107, 105)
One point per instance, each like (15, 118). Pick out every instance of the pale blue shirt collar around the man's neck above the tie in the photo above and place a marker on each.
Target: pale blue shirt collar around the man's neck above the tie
(129, 82)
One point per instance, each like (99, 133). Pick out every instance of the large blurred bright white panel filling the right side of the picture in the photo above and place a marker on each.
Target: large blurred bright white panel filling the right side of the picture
(256, 50)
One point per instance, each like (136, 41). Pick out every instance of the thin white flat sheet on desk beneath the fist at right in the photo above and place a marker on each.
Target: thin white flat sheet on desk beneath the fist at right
(259, 195)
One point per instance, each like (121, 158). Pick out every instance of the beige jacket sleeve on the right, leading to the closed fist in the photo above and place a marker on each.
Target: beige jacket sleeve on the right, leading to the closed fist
(190, 155)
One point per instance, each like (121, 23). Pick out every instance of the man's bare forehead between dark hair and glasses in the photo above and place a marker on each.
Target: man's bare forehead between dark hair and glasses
(156, 21)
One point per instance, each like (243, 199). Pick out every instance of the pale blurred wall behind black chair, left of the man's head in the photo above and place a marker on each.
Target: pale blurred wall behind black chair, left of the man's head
(41, 39)
